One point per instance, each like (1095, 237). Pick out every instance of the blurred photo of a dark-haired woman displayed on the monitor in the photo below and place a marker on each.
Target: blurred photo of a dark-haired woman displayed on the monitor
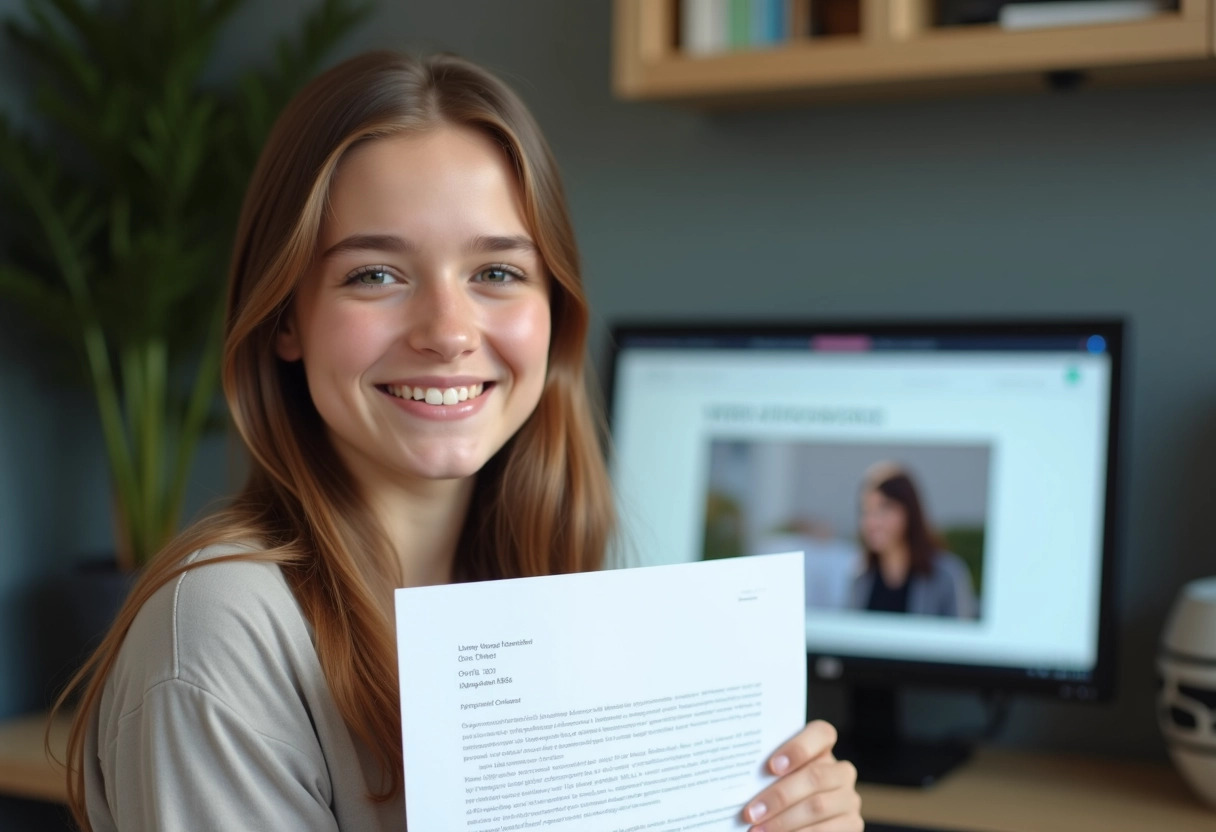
(890, 529)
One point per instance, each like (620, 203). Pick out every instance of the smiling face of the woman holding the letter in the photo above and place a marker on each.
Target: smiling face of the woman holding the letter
(424, 327)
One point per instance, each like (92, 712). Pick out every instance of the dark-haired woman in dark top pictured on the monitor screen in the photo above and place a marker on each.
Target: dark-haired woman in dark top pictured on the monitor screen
(907, 569)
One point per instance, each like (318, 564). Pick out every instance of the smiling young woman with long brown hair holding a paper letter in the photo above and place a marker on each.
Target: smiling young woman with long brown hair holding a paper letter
(404, 363)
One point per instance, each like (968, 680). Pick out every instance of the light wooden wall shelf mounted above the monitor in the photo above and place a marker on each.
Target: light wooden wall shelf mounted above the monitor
(892, 52)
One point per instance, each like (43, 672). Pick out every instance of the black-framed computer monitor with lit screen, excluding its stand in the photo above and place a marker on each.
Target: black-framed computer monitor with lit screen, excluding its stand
(950, 486)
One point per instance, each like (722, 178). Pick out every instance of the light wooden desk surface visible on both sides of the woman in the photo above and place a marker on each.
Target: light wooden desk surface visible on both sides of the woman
(999, 791)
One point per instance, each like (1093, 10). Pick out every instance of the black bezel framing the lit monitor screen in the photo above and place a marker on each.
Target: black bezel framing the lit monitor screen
(855, 670)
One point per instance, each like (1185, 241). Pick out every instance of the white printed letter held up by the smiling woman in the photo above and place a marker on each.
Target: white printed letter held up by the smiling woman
(644, 699)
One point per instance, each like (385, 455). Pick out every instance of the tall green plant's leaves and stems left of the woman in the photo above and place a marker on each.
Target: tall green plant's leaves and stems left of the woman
(117, 207)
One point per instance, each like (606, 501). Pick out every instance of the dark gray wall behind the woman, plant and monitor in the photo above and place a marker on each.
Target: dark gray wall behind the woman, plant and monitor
(1097, 203)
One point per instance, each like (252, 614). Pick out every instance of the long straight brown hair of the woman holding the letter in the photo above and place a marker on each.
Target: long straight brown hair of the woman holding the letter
(544, 503)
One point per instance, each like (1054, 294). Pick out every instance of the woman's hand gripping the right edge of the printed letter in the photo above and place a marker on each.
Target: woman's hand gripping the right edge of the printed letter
(814, 790)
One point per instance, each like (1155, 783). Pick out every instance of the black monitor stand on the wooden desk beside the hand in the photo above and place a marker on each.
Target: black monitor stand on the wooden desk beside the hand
(877, 746)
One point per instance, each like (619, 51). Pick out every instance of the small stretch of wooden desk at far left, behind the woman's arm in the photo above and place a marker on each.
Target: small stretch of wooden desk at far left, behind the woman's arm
(25, 769)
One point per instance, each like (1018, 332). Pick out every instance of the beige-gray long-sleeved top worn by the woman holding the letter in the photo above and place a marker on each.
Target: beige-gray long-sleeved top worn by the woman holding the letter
(217, 717)
